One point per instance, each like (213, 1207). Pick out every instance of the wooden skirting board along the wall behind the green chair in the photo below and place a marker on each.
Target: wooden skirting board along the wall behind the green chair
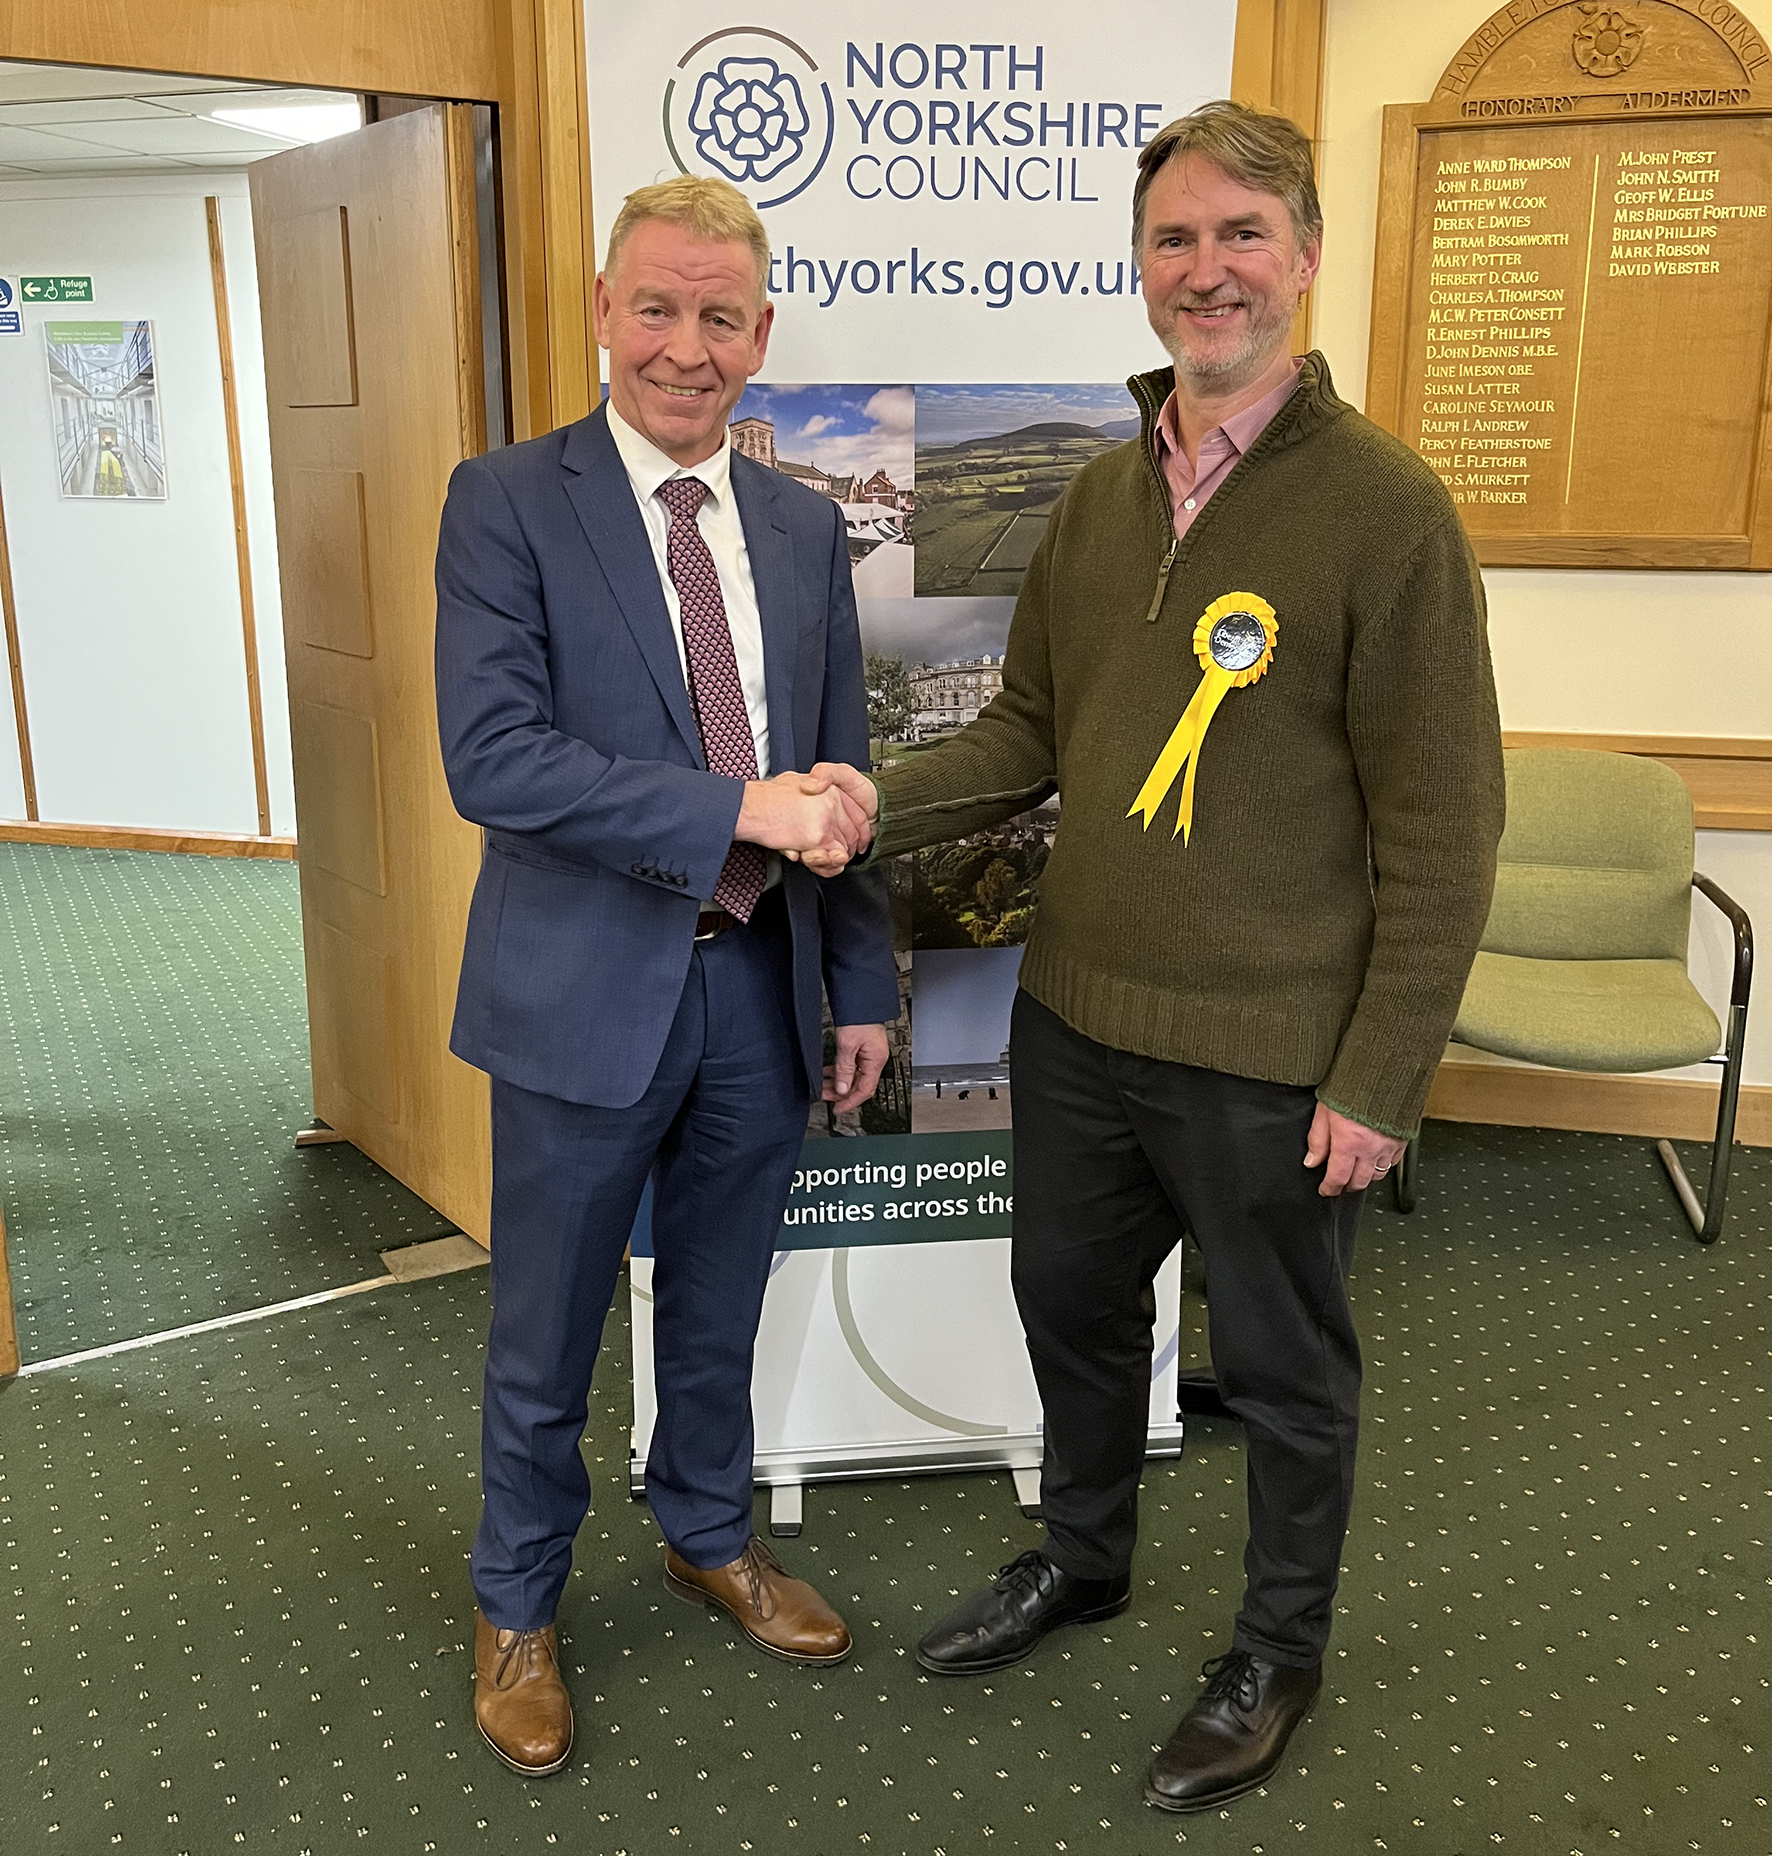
(1656, 1107)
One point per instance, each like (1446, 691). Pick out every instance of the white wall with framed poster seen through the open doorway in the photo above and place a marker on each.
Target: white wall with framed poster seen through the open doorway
(129, 613)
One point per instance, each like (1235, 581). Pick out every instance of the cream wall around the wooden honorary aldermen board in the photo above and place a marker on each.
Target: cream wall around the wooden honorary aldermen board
(1574, 649)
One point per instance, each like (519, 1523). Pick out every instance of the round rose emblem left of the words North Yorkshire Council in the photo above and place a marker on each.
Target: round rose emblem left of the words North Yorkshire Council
(749, 105)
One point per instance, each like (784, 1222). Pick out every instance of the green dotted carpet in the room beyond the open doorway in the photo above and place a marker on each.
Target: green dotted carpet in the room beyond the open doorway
(153, 1076)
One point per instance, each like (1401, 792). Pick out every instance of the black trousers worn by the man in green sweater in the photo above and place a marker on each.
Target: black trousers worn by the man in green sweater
(1114, 1157)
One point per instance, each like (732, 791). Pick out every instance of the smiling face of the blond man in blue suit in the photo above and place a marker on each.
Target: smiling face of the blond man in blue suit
(686, 331)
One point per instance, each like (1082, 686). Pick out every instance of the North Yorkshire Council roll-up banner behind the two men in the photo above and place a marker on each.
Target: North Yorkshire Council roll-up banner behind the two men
(947, 192)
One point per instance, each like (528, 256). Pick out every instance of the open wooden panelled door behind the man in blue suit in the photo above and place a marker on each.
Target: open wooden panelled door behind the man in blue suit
(370, 300)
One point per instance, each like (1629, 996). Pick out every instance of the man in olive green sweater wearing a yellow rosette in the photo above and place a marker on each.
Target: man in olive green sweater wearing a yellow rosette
(1252, 660)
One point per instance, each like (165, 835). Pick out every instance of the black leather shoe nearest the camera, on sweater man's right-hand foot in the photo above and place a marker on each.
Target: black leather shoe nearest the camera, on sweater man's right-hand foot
(1235, 1736)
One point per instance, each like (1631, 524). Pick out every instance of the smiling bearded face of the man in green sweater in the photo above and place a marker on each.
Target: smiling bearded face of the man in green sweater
(1224, 272)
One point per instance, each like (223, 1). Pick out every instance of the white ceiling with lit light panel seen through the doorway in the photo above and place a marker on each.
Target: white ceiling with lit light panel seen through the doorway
(64, 120)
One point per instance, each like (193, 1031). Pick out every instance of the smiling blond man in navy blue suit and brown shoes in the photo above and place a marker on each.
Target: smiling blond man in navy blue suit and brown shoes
(643, 638)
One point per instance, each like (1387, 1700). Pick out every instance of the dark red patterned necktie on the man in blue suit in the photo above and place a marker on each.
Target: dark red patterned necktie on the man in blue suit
(713, 680)
